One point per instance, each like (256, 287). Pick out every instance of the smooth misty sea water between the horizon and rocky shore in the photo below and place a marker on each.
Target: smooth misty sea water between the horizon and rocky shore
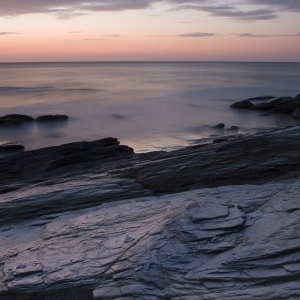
(146, 105)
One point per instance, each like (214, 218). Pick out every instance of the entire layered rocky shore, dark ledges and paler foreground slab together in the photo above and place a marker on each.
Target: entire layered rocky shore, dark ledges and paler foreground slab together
(94, 220)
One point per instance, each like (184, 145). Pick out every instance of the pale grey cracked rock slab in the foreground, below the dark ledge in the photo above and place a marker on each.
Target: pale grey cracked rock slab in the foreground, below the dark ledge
(129, 249)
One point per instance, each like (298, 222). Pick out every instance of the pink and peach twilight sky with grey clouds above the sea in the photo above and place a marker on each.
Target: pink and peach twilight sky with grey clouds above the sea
(149, 30)
